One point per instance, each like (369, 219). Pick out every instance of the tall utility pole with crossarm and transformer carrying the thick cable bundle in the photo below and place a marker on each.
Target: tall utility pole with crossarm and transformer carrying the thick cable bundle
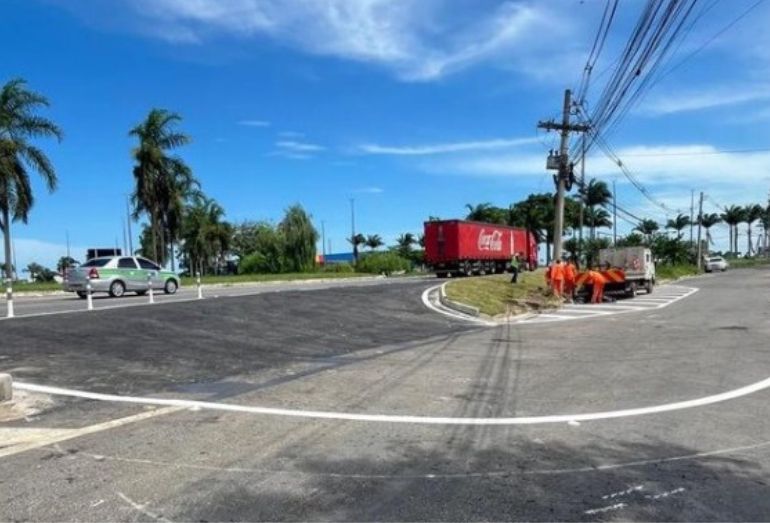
(561, 164)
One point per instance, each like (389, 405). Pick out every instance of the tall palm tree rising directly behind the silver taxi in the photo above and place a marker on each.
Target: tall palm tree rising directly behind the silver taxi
(162, 181)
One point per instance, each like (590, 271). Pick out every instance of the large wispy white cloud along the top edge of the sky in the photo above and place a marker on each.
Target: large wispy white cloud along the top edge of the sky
(417, 39)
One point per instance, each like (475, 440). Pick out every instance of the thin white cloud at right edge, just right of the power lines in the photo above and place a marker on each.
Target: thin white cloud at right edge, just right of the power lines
(705, 99)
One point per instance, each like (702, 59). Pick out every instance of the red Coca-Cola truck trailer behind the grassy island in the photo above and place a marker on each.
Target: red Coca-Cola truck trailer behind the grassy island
(462, 247)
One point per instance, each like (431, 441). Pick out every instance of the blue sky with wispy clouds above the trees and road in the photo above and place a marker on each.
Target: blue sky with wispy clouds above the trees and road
(413, 108)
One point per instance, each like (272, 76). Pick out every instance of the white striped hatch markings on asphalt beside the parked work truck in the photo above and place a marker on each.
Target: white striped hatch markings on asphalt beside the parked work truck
(665, 296)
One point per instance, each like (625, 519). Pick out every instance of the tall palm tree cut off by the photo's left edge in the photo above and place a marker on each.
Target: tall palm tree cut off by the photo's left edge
(18, 126)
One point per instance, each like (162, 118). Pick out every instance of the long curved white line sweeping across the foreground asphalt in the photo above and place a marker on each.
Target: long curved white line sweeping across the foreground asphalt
(389, 418)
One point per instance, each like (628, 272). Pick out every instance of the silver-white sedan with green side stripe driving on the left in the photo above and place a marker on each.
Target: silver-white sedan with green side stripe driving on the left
(117, 275)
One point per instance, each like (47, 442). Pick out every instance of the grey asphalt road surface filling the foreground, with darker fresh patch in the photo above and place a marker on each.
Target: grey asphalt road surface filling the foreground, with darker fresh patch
(375, 350)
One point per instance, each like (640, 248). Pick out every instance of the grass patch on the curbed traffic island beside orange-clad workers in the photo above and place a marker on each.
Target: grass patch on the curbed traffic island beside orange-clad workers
(494, 295)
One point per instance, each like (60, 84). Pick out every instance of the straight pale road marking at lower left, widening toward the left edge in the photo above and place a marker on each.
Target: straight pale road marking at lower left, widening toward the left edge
(22, 440)
